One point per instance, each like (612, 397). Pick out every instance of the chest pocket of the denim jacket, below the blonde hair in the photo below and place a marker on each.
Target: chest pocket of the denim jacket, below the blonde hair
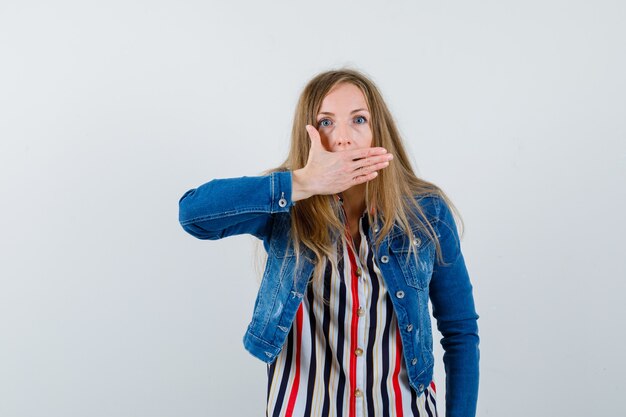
(418, 270)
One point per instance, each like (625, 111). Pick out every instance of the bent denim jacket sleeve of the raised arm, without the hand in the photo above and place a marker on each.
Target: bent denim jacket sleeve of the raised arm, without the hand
(231, 206)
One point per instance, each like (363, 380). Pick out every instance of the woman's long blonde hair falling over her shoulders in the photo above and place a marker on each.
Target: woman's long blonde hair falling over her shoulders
(390, 197)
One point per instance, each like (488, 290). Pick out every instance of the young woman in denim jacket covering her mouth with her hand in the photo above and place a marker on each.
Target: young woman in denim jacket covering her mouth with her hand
(357, 244)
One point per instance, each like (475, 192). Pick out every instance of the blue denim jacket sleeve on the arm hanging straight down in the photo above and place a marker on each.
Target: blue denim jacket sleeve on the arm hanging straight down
(453, 308)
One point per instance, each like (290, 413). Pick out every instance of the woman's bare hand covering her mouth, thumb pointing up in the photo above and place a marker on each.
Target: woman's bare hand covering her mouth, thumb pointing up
(333, 172)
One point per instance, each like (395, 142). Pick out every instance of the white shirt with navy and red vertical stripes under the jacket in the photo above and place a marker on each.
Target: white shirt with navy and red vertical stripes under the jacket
(344, 357)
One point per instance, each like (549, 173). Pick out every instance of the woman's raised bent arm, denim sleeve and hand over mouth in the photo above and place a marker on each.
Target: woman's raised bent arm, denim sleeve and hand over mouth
(231, 206)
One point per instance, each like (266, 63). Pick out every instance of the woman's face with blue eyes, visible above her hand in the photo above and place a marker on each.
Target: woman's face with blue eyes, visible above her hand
(344, 119)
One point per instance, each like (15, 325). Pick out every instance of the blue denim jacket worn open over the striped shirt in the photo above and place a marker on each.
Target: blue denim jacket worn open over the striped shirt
(261, 206)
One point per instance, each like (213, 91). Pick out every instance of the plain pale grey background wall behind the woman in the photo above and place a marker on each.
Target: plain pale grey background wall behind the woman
(111, 110)
